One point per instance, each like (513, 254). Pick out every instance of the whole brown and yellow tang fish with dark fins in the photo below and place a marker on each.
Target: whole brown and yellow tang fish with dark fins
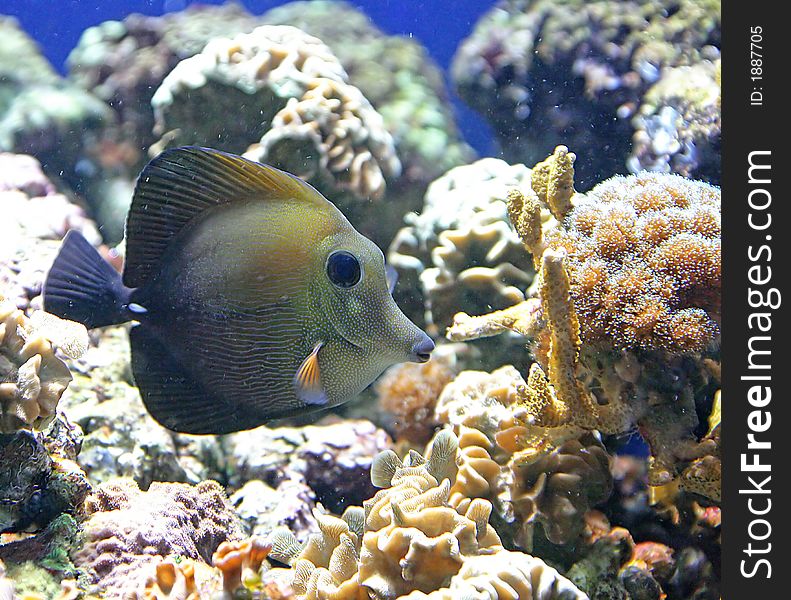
(255, 298)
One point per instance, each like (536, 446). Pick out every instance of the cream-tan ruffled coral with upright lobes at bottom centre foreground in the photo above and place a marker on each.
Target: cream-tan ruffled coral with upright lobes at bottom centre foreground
(408, 542)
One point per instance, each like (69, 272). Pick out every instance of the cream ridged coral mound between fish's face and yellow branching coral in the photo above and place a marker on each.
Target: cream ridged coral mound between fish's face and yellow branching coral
(460, 250)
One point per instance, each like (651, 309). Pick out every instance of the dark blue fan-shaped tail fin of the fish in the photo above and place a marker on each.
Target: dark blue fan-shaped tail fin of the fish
(81, 286)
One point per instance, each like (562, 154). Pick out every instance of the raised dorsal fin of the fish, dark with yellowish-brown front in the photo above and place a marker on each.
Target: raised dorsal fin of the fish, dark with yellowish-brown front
(181, 183)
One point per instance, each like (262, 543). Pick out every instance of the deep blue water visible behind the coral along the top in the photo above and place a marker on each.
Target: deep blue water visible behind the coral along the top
(439, 25)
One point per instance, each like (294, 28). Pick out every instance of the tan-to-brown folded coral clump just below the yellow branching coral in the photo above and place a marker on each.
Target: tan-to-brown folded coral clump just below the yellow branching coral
(555, 488)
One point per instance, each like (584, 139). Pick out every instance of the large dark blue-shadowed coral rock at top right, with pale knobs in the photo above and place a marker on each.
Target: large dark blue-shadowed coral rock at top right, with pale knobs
(546, 72)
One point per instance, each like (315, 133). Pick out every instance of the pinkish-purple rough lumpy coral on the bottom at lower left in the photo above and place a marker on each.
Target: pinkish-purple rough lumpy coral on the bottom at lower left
(128, 530)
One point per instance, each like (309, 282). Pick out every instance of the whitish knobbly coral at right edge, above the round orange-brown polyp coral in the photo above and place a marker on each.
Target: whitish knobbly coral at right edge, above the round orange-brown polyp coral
(678, 126)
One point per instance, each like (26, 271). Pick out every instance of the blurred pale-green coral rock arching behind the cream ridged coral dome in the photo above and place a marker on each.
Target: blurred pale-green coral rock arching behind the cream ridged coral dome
(398, 77)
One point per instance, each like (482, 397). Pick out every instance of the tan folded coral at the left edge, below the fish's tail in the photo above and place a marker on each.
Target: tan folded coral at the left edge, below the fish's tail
(32, 377)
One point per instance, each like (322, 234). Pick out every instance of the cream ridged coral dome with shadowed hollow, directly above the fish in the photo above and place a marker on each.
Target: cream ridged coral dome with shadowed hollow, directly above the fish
(287, 89)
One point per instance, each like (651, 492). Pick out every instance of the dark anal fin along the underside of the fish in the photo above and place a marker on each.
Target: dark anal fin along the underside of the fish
(171, 394)
